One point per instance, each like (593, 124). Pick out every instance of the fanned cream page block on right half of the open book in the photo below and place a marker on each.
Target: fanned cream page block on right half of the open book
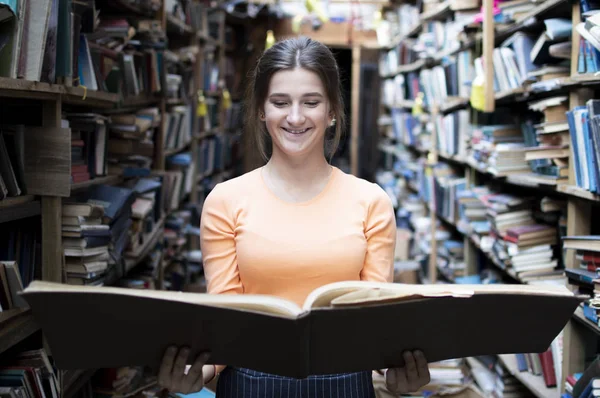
(364, 293)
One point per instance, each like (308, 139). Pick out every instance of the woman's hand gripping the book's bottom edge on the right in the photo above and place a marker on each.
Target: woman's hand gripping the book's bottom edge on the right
(409, 378)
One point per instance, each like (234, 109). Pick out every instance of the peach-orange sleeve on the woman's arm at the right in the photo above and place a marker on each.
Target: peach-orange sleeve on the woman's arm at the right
(380, 232)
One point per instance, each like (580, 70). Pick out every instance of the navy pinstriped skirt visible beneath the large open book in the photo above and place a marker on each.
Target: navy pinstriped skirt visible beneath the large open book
(246, 383)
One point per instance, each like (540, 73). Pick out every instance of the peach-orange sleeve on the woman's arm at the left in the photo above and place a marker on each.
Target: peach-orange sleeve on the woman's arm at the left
(218, 245)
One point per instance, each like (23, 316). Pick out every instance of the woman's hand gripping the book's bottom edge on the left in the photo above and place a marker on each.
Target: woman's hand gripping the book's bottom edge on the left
(172, 375)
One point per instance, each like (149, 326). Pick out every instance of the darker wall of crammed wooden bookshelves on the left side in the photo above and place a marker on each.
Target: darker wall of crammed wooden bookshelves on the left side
(117, 117)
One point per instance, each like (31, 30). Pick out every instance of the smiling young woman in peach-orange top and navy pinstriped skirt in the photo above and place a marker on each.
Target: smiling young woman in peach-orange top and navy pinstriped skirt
(295, 224)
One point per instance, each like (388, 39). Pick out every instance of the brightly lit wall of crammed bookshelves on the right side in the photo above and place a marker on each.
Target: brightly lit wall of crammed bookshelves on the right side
(507, 196)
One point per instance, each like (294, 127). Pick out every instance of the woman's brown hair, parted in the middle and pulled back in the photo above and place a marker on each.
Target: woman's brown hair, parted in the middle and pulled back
(301, 52)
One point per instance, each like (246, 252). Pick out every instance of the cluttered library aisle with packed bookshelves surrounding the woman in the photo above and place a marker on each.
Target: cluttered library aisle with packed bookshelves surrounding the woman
(477, 117)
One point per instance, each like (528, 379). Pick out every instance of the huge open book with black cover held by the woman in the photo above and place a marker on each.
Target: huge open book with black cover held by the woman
(342, 327)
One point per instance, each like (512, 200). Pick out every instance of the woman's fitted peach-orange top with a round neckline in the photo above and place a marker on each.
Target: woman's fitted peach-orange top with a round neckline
(254, 242)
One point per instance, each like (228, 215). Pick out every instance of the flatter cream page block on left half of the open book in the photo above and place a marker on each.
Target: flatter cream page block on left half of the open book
(257, 303)
